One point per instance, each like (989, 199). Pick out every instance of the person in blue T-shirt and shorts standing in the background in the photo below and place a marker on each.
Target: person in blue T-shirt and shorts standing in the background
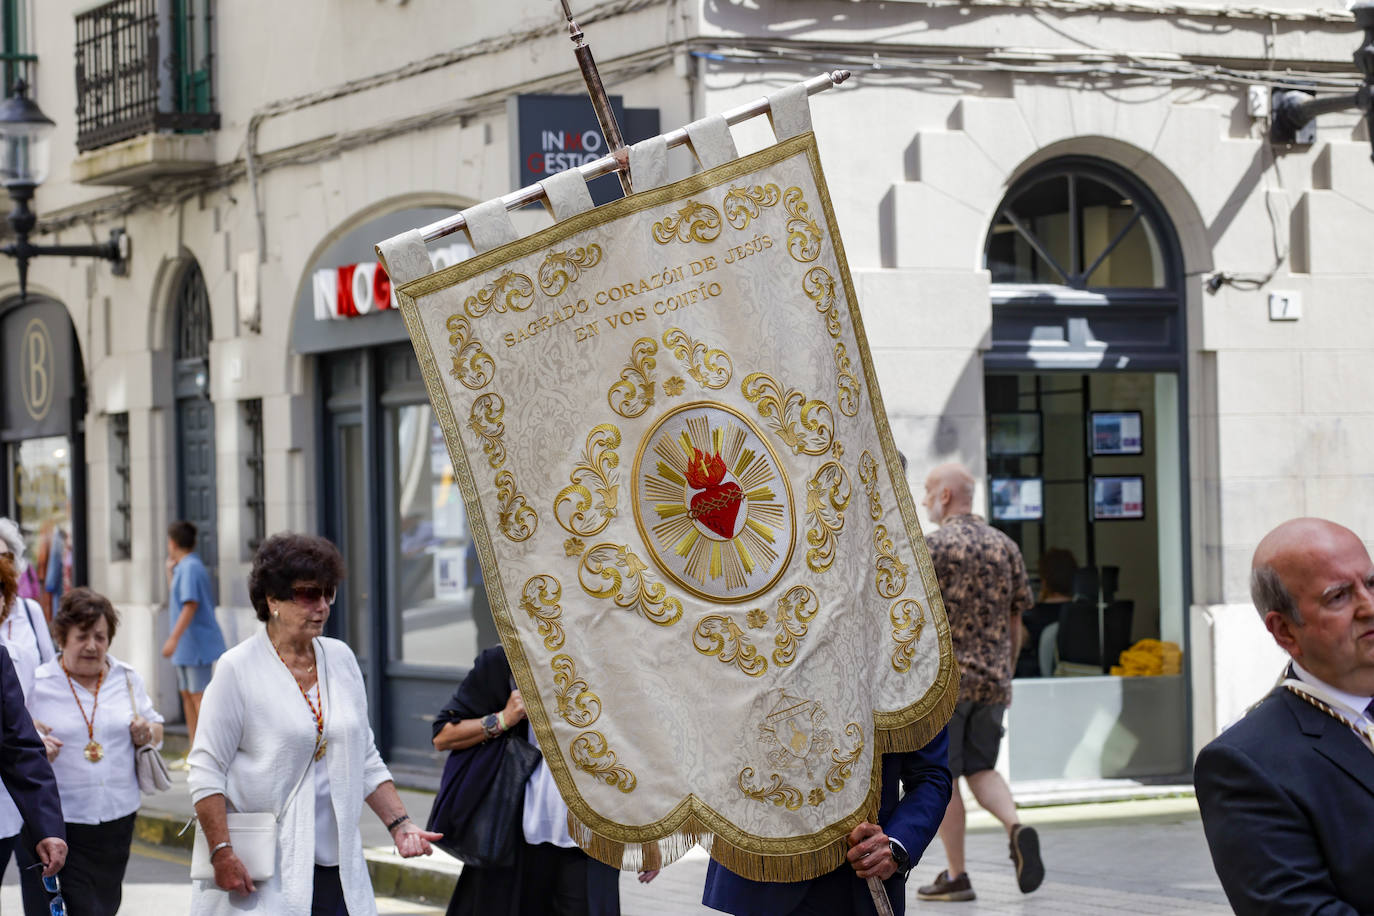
(196, 641)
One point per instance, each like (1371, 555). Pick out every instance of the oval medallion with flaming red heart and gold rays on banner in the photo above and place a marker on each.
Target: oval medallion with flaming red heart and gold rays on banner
(714, 505)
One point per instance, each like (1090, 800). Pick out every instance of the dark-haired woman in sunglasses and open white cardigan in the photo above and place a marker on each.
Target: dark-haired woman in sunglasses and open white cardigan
(284, 730)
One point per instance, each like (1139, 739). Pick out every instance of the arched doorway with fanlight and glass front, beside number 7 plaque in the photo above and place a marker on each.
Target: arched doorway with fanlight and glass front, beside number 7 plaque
(1088, 443)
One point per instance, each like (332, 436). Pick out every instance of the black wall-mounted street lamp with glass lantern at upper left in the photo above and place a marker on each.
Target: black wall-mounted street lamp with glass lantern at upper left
(25, 152)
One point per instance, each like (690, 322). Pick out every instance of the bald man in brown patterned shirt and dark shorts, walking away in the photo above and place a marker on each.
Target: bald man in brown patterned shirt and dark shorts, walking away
(983, 580)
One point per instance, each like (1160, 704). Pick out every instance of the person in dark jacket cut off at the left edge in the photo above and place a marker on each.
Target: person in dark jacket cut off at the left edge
(27, 774)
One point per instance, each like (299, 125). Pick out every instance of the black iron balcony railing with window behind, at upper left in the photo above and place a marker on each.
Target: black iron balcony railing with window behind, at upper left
(139, 72)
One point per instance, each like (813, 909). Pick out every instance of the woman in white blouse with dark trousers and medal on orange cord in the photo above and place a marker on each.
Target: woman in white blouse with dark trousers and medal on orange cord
(100, 712)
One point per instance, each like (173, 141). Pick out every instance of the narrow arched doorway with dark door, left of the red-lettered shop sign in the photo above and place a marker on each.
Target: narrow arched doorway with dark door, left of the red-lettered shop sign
(194, 413)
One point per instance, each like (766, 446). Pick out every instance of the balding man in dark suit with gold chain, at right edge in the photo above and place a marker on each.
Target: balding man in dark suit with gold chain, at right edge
(1288, 793)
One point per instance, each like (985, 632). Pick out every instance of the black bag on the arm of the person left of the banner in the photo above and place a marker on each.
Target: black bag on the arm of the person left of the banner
(482, 800)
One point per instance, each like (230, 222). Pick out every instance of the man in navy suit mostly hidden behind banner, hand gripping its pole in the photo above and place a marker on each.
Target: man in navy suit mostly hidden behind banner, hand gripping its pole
(916, 792)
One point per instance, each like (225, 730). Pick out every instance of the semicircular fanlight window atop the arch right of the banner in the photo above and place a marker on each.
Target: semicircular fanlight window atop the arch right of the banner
(1081, 227)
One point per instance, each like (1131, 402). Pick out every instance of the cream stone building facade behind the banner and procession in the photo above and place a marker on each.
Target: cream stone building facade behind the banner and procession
(1085, 270)
